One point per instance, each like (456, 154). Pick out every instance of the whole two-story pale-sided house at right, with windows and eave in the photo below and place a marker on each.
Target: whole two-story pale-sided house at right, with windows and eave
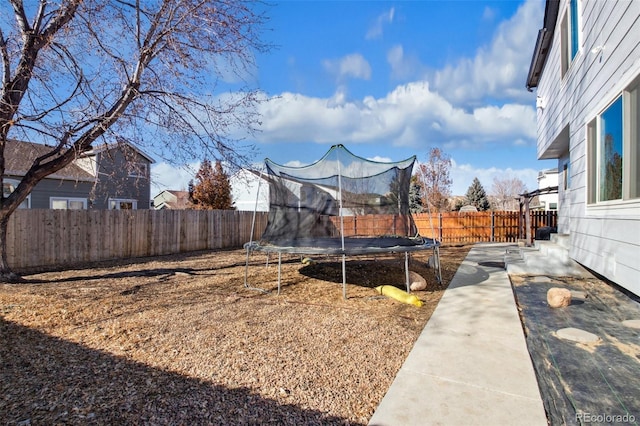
(586, 68)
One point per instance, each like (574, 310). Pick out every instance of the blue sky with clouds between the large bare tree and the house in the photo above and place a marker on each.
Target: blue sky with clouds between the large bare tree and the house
(392, 79)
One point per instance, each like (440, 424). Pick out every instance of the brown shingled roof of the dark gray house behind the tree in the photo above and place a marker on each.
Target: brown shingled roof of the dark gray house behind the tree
(19, 157)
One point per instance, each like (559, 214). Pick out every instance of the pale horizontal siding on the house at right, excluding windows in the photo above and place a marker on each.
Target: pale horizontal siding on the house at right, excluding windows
(604, 239)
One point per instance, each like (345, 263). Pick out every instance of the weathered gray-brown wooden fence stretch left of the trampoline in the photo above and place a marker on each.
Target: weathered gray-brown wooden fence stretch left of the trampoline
(41, 238)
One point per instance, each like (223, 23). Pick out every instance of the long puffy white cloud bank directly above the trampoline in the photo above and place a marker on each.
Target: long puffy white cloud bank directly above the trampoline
(407, 116)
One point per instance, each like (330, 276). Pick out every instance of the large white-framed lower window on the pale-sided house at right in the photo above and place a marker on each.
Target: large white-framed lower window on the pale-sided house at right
(613, 149)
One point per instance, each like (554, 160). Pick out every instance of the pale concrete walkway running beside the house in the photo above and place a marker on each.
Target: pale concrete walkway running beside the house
(470, 365)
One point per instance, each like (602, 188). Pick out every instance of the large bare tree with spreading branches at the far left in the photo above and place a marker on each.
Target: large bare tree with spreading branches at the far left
(75, 72)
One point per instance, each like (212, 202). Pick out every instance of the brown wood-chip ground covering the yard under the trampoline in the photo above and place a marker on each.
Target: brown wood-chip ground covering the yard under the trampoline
(180, 340)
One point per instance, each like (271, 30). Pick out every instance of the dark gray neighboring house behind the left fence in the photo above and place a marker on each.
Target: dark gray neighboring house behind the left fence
(108, 177)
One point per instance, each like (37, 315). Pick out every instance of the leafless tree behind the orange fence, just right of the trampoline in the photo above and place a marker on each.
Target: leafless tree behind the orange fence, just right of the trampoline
(435, 179)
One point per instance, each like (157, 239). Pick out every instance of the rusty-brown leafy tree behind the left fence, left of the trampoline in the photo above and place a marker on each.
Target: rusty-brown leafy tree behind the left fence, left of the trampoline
(212, 188)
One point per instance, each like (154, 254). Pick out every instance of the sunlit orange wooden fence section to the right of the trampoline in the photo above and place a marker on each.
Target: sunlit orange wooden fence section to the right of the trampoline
(471, 227)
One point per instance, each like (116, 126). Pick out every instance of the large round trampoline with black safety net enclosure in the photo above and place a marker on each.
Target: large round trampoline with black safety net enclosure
(342, 205)
